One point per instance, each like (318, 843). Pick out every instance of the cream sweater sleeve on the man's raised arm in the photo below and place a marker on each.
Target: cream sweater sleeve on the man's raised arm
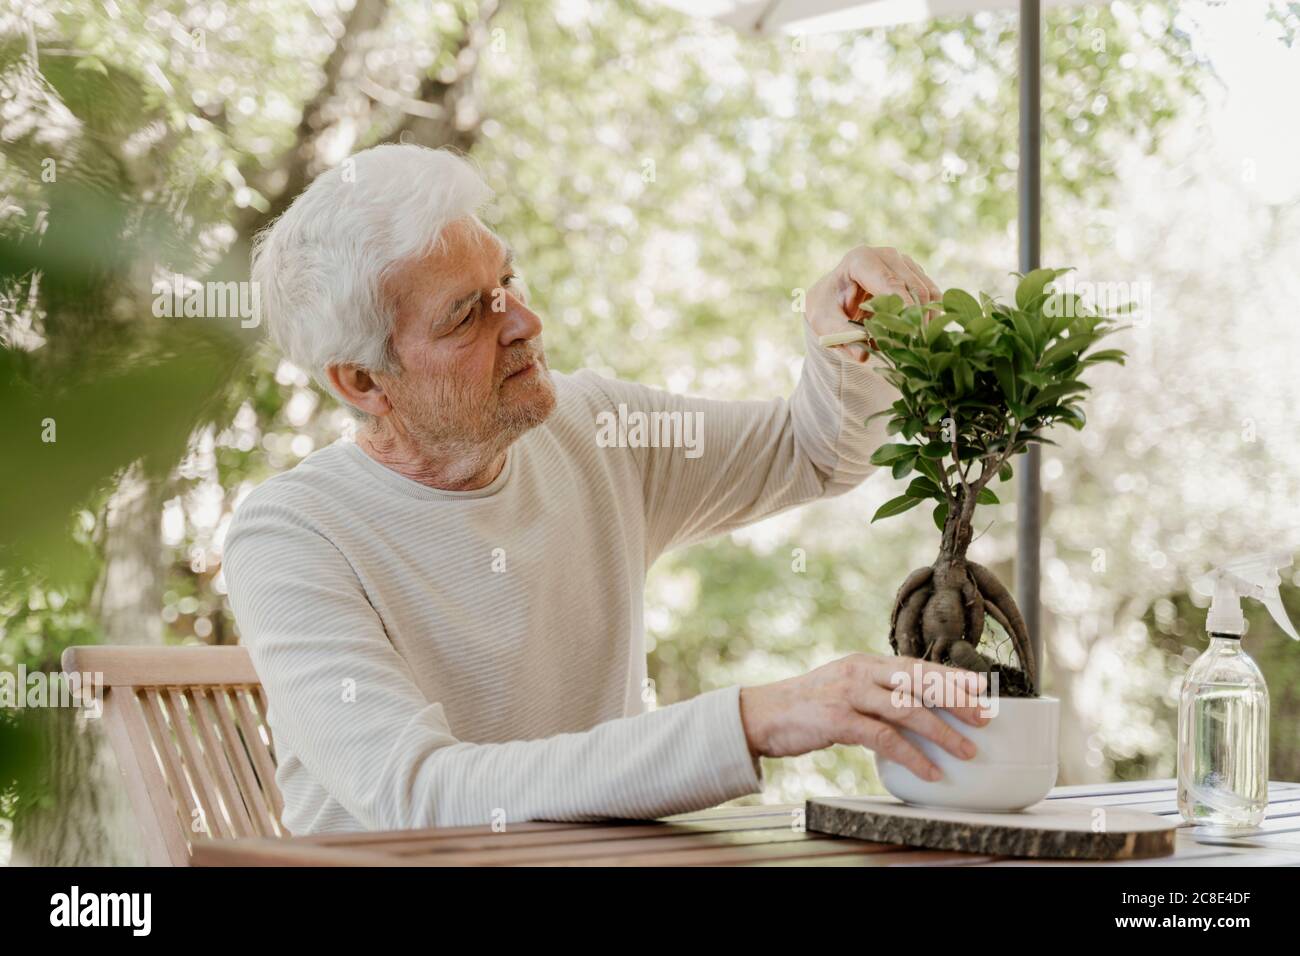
(756, 458)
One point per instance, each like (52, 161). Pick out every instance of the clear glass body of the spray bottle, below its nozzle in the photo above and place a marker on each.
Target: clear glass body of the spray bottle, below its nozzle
(1224, 739)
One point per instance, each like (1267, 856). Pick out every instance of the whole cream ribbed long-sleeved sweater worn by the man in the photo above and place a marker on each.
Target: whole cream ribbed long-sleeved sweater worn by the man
(443, 659)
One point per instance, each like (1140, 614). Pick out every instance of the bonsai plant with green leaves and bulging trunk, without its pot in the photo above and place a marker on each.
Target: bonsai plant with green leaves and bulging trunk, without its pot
(980, 382)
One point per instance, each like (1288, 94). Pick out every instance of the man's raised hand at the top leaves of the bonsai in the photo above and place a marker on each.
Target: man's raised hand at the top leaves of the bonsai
(864, 274)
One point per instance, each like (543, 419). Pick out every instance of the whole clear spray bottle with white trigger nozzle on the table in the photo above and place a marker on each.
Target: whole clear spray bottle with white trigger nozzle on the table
(1224, 708)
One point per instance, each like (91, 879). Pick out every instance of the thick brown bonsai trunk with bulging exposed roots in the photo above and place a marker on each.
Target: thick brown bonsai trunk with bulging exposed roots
(942, 611)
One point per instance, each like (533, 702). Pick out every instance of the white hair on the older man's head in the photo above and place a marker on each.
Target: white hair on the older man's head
(322, 266)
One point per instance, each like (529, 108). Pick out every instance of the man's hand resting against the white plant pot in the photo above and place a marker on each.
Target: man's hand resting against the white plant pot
(863, 699)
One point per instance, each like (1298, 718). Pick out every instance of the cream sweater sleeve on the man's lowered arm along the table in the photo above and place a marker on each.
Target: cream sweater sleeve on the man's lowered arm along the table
(345, 703)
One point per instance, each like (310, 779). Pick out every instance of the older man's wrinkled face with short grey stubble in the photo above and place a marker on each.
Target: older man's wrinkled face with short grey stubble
(473, 365)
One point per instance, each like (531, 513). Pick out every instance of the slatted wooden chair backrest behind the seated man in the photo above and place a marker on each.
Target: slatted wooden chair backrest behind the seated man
(189, 729)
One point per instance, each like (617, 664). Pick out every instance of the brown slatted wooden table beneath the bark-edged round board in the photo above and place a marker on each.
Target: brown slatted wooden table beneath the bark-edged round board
(766, 836)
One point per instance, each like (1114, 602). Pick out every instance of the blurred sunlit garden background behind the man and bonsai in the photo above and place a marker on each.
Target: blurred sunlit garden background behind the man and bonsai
(670, 189)
